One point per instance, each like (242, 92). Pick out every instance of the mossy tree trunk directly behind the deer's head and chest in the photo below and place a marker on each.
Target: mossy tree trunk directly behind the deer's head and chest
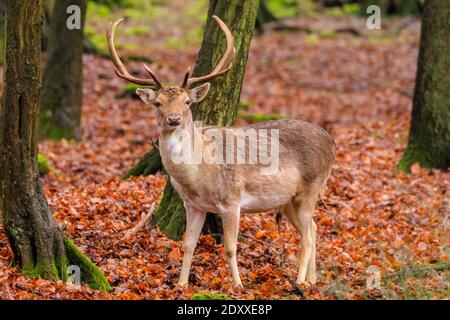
(220, 106)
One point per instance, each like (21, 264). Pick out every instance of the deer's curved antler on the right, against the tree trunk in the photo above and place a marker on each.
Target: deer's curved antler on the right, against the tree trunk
(227, 59)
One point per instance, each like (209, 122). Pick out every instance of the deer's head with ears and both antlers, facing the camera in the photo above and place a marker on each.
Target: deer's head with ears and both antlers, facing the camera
(173, 102)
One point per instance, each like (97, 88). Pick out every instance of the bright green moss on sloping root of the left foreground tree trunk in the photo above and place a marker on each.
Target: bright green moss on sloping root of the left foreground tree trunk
(90, 273)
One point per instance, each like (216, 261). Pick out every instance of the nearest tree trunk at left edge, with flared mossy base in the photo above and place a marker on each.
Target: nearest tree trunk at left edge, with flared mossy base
(38, 243)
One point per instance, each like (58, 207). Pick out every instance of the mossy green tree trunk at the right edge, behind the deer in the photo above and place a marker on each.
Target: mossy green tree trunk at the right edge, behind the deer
(429, 138)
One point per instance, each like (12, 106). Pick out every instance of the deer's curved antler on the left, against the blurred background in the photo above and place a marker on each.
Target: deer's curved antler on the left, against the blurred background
(120, 69)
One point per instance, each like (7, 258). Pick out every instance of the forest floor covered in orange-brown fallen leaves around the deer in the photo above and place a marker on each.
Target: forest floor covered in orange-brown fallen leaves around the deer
(358, 87)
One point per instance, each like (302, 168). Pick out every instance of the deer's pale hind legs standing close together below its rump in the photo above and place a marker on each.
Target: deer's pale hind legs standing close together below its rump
(300, 213)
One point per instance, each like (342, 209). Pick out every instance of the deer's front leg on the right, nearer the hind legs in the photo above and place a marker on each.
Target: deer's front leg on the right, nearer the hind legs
(230, 220)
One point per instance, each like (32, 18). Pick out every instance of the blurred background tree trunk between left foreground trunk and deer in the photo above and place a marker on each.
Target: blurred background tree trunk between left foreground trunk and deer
(62, 90)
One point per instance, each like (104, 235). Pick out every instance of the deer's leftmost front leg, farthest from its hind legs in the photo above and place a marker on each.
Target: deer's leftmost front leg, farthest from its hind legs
(194, 223)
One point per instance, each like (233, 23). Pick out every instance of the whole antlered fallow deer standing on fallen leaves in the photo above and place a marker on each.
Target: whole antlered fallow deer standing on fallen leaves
(306, 154)
